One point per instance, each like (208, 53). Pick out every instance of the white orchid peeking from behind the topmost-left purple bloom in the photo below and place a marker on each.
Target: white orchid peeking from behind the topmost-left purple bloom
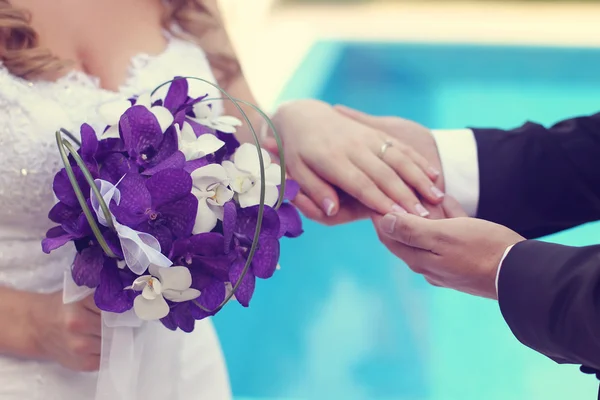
(111, 114)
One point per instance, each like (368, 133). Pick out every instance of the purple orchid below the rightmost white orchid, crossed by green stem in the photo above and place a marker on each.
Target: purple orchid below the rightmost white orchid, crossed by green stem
(239, 226)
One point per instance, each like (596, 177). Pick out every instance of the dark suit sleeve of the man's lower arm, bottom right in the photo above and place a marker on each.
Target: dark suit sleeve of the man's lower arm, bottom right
(549, 295)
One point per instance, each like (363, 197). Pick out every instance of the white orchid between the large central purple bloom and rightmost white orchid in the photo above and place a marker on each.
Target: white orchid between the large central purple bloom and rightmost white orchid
(210, 187)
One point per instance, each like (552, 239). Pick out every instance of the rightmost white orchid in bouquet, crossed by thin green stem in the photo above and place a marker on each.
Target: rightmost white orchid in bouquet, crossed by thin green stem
(244, 176)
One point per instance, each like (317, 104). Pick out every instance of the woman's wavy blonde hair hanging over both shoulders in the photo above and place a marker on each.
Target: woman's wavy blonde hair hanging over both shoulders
(22, 56)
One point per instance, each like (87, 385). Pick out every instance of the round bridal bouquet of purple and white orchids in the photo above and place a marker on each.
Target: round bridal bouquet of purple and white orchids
(171, 217)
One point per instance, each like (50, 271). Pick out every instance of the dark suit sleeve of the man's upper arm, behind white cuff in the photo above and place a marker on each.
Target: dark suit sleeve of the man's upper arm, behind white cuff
(539, 181)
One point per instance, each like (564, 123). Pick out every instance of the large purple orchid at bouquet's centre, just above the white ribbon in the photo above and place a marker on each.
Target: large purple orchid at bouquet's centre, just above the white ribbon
(161, 205)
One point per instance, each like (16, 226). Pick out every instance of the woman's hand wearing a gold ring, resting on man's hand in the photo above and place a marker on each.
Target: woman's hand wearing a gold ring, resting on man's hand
(325, 150)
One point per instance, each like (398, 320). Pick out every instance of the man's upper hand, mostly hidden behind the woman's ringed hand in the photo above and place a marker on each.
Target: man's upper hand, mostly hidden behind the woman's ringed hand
(405, 131)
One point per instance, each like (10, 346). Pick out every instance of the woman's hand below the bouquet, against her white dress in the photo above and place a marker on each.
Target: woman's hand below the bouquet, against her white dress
(68, 334)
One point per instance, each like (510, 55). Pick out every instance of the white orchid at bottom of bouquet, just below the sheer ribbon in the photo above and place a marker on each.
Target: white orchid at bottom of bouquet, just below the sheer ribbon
(162, 284)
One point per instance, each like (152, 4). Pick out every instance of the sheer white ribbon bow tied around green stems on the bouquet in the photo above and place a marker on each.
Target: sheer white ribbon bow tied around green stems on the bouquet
(140, 250)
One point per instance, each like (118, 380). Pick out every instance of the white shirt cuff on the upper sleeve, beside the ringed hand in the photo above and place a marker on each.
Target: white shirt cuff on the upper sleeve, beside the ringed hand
(458, 154)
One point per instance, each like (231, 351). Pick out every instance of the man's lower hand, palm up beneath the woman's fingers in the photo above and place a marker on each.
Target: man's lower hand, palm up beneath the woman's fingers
(457, 253)
